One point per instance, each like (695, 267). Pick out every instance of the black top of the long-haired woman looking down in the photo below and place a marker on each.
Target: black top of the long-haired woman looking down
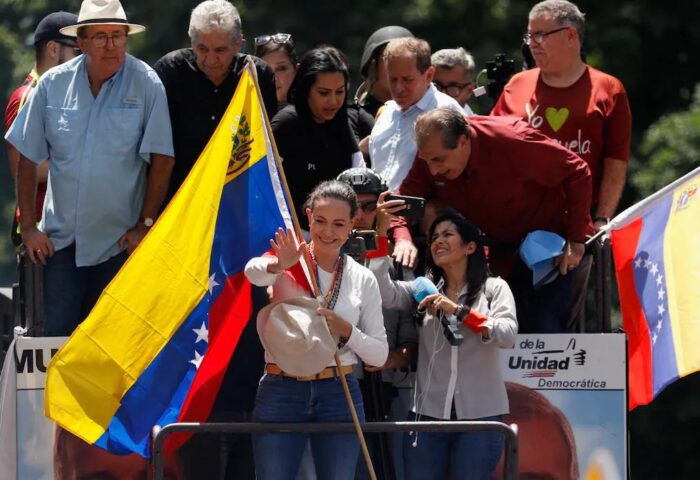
(312, 152)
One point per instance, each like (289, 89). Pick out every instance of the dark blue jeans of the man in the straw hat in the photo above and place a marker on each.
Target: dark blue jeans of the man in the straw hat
(70, 292)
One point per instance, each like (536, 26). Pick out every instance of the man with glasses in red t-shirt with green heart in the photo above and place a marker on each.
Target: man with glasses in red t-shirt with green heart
(582, 108)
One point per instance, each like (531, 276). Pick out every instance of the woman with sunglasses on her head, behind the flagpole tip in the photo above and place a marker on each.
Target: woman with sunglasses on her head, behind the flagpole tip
(278, 52)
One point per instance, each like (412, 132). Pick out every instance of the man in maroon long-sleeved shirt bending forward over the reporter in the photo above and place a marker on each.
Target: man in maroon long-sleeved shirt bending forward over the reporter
(508, 179)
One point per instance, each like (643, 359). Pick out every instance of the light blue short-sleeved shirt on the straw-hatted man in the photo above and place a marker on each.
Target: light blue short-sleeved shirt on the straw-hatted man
(99, 149)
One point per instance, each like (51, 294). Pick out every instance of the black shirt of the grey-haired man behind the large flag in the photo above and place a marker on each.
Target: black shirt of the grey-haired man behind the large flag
(197, 105)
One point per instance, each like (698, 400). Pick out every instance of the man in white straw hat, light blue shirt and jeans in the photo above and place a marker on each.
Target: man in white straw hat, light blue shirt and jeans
(103, 119)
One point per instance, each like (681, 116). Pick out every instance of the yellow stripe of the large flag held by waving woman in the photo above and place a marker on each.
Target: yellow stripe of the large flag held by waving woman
(154, 292)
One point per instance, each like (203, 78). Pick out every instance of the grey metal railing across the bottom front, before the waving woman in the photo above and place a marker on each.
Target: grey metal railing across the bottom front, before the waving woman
(510, 466)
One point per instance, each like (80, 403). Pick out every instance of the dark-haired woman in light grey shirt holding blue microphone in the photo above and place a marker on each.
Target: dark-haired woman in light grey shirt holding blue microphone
(456, 381)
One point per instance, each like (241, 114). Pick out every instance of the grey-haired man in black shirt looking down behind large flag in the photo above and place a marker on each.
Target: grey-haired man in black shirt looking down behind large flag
(200, 81)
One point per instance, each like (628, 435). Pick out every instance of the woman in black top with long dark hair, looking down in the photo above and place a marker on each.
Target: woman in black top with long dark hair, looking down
(313, 135)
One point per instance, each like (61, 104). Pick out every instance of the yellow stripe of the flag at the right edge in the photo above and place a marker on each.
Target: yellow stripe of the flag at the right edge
(682, 264)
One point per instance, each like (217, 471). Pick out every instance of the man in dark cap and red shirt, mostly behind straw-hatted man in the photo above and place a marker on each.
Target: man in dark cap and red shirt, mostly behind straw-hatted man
(52, 48)
